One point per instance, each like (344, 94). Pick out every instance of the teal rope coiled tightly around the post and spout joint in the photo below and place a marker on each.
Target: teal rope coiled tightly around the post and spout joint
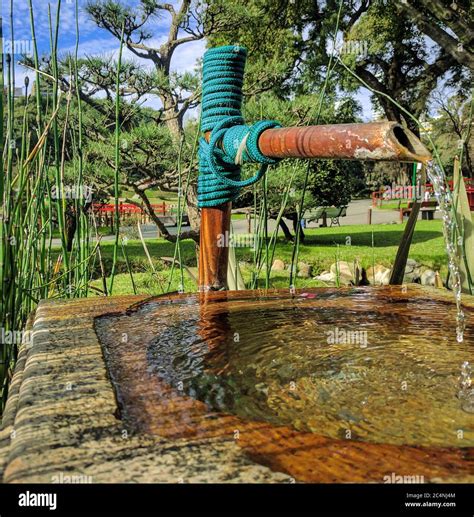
(232, 142)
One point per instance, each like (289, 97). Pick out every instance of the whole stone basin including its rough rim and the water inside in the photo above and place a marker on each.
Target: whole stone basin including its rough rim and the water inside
(324, 385)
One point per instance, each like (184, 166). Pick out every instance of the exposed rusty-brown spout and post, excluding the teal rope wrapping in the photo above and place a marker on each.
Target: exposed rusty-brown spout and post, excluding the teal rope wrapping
(379, 141)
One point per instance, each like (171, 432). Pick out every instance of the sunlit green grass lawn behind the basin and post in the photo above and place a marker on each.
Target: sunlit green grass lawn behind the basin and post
(321, 248)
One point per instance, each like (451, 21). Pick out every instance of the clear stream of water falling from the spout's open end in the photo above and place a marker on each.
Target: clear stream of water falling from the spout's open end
(444, 199)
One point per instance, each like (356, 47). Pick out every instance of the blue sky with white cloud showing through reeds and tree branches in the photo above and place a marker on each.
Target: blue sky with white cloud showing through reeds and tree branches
(95, 41)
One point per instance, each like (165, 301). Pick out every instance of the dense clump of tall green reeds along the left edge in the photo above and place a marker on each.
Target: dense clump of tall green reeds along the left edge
(33, 162)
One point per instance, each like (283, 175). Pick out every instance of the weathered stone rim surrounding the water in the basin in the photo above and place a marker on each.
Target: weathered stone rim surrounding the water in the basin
(94, 445)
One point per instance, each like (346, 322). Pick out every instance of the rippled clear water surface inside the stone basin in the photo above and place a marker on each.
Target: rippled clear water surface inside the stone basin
(373, 365)
